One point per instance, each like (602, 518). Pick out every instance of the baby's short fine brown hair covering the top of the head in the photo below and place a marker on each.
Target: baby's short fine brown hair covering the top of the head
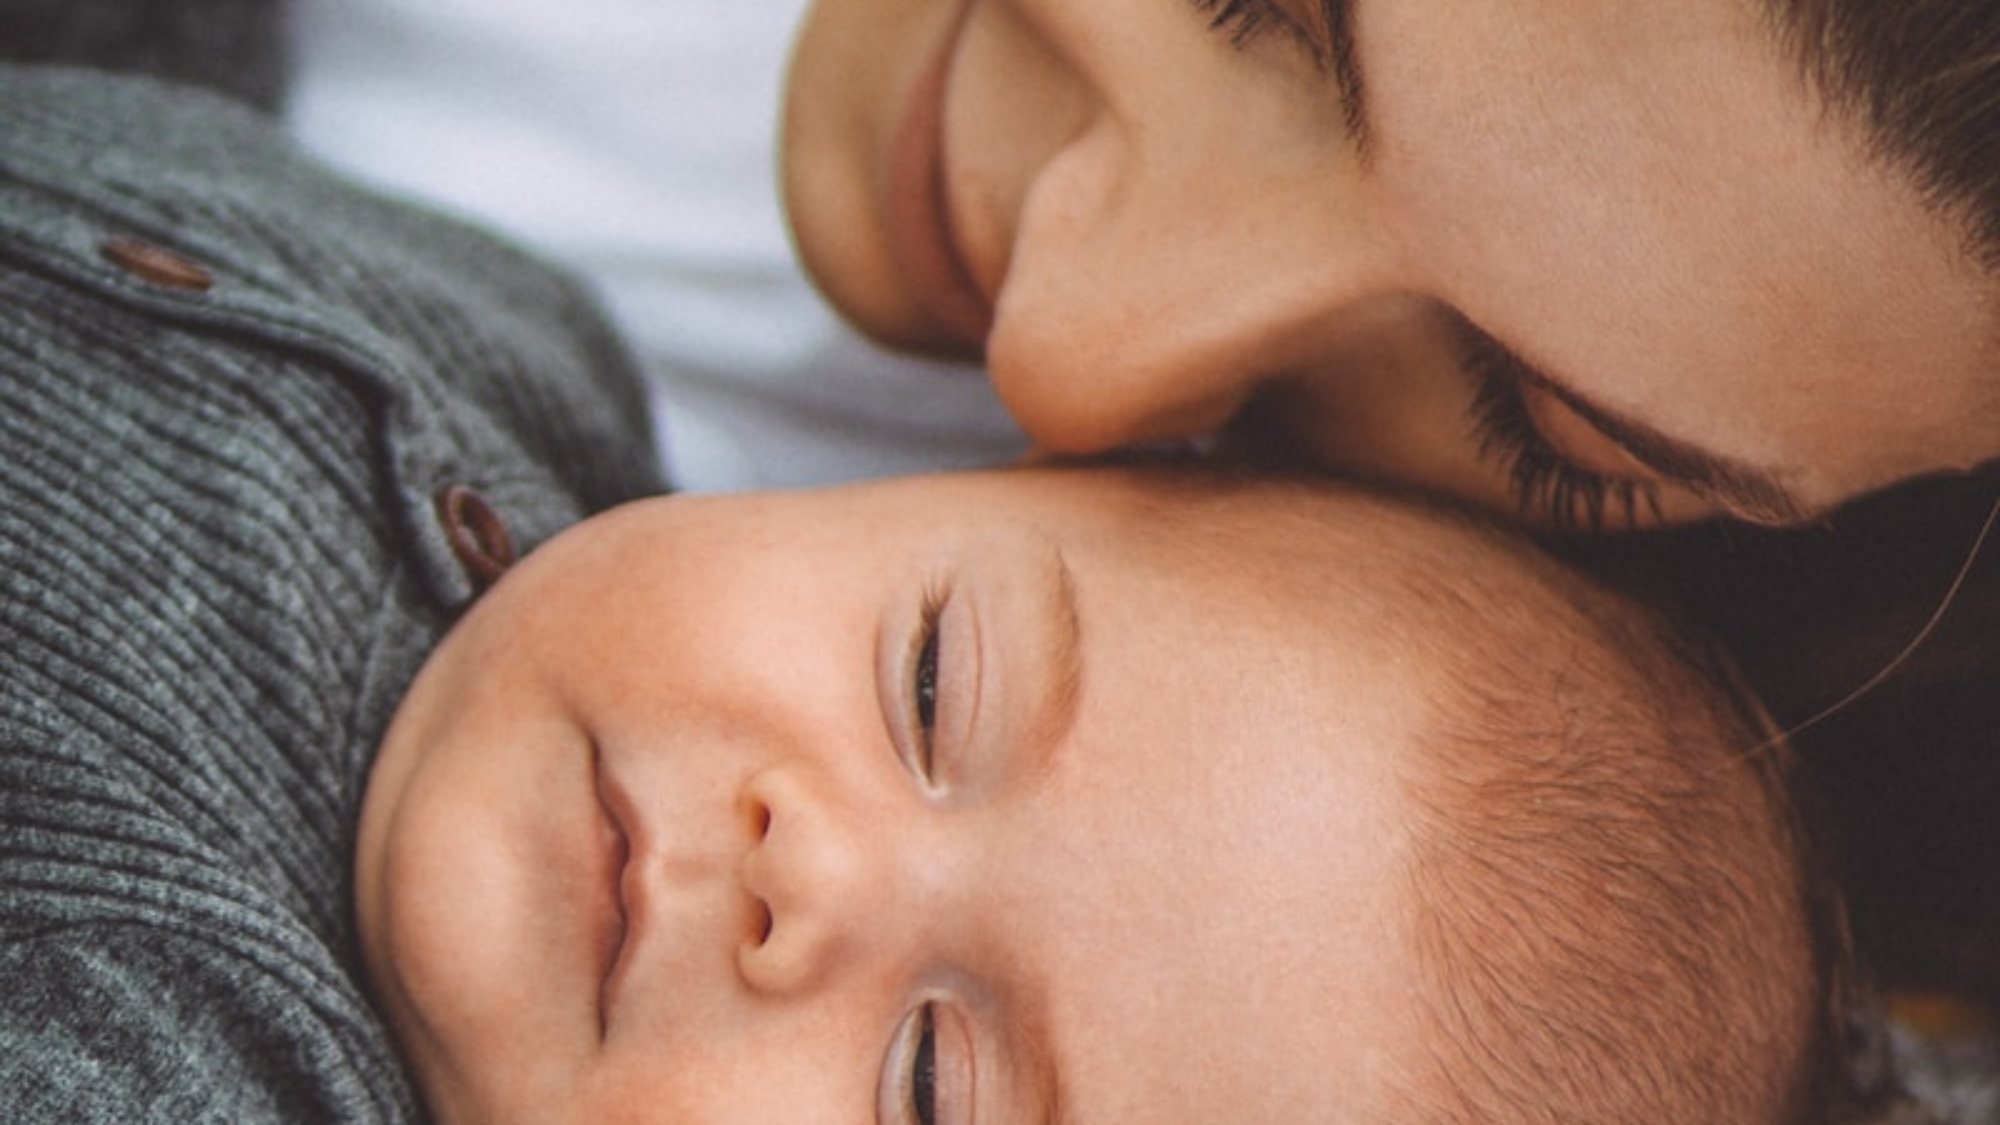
(1621, 912)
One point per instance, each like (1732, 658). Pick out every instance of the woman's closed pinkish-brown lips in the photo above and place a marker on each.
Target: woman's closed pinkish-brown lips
(917, 209)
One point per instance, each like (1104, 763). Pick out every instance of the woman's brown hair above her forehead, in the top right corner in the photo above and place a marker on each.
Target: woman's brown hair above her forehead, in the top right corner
(1923, 81)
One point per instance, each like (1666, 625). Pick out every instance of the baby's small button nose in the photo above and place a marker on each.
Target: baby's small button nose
(837, 884)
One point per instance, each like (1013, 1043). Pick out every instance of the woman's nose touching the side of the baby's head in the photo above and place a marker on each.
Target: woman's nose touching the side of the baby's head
(1151, 327)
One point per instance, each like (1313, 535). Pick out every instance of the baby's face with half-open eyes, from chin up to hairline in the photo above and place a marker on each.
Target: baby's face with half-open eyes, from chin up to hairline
(1017, 798)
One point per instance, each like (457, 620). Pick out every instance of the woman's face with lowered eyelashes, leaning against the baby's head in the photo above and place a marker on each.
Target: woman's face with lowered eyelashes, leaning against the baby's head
(1595, 259)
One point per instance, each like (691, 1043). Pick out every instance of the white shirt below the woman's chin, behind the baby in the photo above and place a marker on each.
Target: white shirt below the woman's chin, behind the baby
(635, 141)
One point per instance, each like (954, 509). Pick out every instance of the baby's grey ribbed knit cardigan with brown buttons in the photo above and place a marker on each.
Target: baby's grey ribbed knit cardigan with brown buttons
(221, 564)
